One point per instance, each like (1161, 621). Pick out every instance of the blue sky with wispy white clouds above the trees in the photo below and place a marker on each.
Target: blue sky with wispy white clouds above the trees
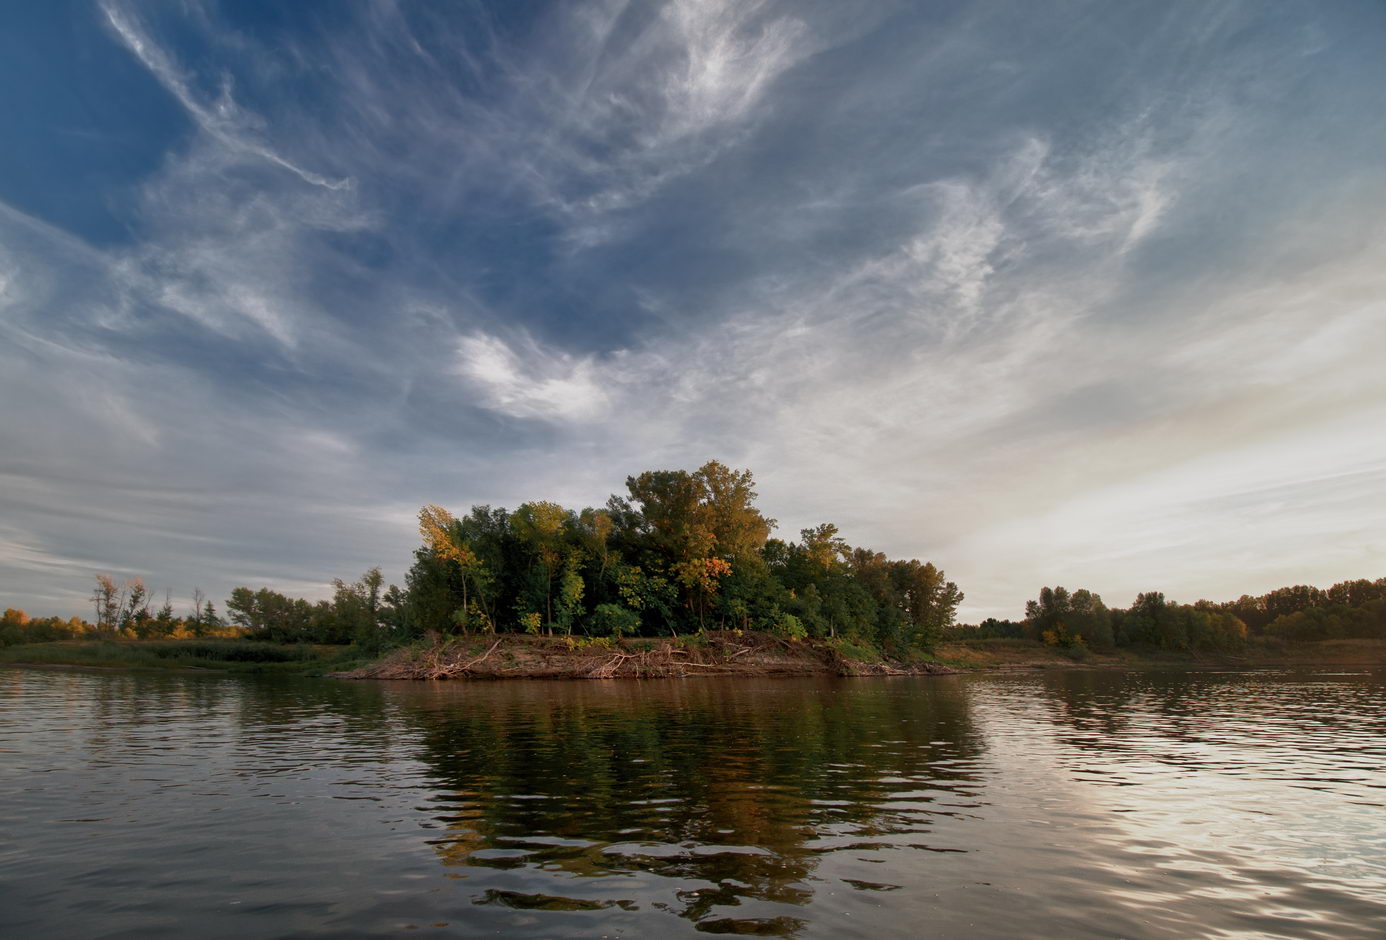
(1078, 295)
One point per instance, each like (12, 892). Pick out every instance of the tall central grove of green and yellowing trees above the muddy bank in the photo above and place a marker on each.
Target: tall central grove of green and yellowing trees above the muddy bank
(680, 551)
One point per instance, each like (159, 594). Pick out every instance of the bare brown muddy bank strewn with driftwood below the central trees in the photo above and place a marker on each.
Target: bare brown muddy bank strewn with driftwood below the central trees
(555, 658)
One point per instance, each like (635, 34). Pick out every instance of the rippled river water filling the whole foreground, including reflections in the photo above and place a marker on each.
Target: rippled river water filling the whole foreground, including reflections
(1069, 803)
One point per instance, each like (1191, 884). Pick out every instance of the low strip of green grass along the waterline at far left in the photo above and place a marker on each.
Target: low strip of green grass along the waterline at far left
(220, 655)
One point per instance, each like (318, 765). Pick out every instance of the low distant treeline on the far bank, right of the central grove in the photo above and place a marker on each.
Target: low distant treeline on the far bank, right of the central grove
(1348, 611)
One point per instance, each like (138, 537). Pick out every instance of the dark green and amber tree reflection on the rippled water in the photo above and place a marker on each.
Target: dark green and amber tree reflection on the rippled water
(696, 798)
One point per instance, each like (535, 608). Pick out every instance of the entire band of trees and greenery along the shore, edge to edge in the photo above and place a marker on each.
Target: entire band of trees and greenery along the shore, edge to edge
(680, 557)
